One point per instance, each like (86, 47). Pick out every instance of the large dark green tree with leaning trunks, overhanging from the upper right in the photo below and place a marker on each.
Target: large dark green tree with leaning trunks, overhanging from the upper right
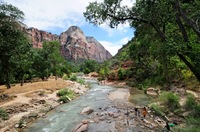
(172, 25)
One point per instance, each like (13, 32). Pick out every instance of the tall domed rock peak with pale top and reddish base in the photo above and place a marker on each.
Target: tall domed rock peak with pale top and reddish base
(74, 46)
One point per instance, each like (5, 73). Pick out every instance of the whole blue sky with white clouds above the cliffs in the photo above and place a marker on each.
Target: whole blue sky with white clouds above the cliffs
(57, 16)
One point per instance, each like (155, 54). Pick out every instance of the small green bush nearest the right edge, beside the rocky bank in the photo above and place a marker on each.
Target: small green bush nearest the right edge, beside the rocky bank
(190, 102)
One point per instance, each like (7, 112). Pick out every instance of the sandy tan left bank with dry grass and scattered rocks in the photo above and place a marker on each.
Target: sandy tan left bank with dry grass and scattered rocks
(26, 103)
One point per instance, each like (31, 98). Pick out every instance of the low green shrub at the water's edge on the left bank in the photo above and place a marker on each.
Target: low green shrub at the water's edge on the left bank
(66, 95)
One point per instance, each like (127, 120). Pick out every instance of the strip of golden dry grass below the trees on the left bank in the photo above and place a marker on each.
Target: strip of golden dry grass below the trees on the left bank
(51, 84)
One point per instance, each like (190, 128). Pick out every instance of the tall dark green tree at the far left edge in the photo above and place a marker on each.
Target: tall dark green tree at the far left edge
(13, 41)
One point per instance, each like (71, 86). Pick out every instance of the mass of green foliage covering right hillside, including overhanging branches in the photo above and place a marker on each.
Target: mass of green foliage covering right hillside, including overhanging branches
(165, 39)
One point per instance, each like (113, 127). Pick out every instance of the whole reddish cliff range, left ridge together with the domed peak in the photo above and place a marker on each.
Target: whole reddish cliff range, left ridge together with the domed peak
(74, 44)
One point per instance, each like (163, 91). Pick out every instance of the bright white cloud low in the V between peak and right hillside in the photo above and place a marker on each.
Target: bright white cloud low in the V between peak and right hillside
(113, 47)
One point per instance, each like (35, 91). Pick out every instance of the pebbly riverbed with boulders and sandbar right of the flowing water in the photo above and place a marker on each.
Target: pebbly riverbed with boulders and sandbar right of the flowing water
(119, 117)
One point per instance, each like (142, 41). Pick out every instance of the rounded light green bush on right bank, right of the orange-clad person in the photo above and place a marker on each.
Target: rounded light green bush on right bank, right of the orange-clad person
(170, 100)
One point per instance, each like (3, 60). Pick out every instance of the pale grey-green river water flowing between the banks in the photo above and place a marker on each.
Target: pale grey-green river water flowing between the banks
(67, 116)
